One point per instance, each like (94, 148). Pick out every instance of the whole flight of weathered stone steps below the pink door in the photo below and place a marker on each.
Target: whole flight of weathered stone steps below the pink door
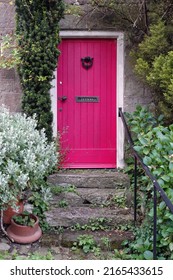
(90, 196)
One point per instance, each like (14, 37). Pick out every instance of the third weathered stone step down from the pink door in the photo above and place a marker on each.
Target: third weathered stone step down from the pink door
(70, 216)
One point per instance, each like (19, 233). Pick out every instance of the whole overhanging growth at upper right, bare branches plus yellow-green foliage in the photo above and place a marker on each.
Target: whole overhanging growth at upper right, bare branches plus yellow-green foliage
(149, 33)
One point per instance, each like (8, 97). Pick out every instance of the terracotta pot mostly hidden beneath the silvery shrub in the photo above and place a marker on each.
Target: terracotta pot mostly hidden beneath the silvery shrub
(10, 212)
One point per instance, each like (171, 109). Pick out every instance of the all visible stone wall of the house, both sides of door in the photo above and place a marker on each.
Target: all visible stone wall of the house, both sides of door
(85, 19)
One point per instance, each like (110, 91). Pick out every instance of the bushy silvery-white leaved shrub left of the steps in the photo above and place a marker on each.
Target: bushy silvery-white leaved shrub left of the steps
(26, 158)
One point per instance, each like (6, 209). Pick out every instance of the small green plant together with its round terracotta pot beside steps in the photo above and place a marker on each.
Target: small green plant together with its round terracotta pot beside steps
(24, 228)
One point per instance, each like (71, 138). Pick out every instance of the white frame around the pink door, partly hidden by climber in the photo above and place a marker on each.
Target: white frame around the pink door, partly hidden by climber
(119, 36)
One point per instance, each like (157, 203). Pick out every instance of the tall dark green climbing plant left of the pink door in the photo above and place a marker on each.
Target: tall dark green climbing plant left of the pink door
(37, 30)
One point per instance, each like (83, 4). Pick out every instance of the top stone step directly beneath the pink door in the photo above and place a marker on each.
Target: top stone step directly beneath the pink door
(103, 179)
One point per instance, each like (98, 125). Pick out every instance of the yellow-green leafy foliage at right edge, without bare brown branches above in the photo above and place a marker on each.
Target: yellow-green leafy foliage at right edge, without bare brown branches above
(153, 63)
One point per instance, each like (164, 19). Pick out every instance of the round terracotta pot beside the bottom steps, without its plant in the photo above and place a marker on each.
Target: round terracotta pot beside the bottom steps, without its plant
(24, 234)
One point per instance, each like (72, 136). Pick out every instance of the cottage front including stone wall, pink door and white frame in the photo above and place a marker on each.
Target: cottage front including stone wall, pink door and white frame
(93, 79)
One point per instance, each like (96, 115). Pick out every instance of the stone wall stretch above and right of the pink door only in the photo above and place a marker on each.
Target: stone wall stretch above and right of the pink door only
(88, 18)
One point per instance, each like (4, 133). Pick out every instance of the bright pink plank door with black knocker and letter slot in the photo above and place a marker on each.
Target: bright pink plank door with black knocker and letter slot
(87, 102)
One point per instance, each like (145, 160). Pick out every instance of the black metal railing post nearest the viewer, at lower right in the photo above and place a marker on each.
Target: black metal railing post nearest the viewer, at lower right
(155, 224)
